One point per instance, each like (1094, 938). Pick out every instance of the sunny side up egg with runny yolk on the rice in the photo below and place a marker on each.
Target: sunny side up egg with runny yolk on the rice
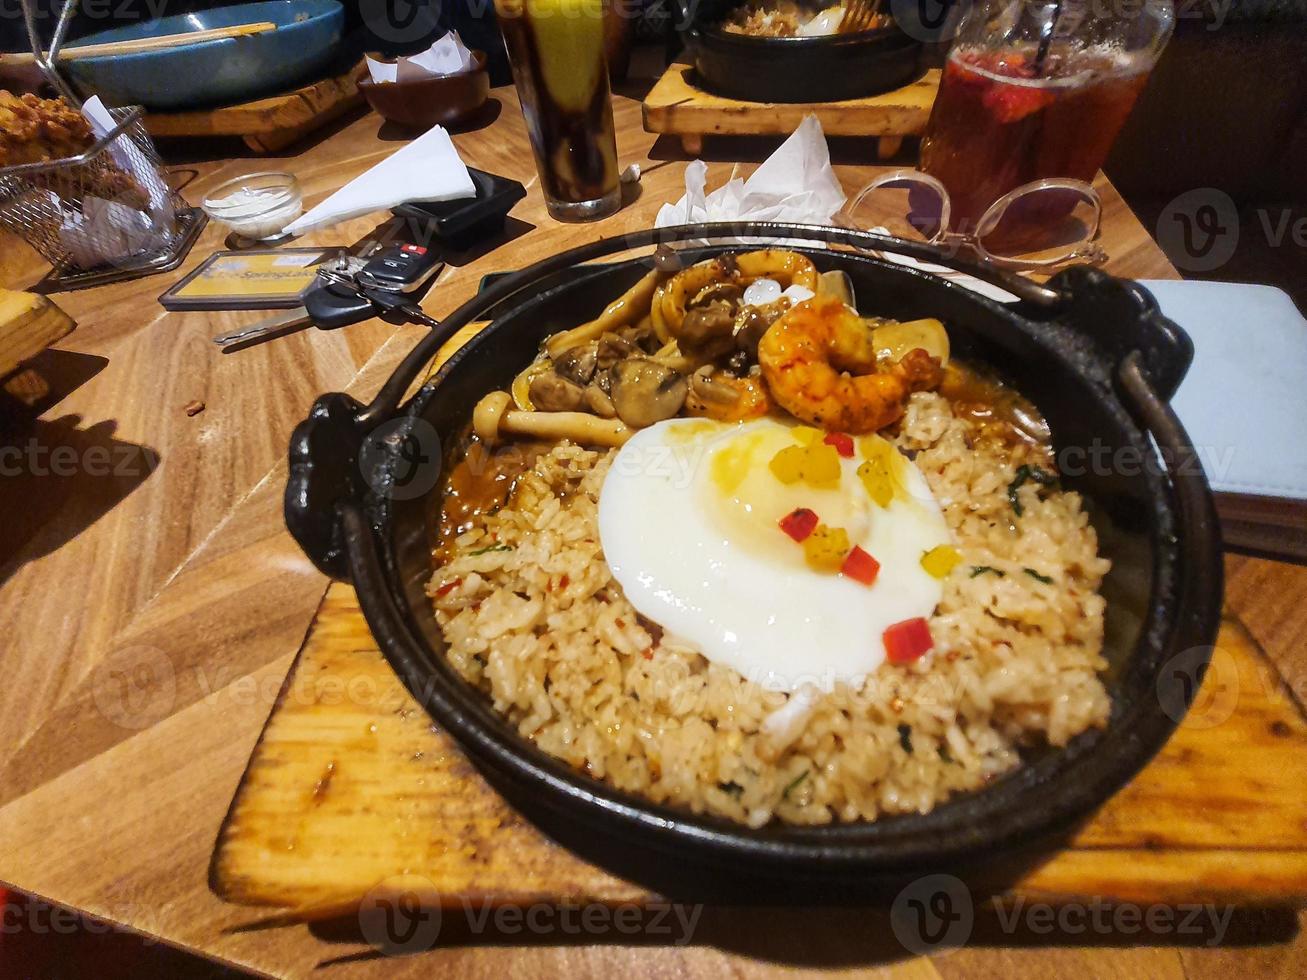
(689, 523)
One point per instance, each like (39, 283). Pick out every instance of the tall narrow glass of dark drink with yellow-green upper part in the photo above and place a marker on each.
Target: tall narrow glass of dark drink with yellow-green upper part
(557, 54)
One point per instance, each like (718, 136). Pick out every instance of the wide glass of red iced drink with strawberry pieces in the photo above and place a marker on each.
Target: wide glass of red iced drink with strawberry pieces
(1037, 90)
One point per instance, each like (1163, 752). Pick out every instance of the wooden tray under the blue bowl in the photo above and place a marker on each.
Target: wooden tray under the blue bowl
(273, 123)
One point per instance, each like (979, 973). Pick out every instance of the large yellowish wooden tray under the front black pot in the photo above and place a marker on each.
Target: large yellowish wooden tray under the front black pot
(352, 785)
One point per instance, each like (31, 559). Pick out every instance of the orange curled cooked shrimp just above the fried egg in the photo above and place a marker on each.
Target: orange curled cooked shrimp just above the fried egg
(820, 365)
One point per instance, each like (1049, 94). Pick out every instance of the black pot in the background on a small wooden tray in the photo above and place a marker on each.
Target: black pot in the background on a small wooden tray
(795, 70)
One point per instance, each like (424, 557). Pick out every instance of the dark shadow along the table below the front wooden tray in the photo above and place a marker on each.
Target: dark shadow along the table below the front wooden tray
(825, 938)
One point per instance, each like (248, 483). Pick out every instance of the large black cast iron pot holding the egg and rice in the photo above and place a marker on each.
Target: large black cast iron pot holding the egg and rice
(1091, 351)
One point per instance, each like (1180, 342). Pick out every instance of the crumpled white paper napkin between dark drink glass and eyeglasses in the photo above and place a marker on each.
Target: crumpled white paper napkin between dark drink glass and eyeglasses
(797, 184)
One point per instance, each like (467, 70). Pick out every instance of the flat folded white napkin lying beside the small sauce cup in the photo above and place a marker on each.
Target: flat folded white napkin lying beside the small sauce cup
(429, 169)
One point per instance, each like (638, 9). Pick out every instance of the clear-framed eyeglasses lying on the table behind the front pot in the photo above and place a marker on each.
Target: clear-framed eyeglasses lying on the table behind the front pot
(1036, 227)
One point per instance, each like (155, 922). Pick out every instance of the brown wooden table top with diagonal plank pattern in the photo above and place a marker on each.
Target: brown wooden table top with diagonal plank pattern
(154, 546)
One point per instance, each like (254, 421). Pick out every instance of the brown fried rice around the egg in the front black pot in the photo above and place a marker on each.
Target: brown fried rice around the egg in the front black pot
(535, 619)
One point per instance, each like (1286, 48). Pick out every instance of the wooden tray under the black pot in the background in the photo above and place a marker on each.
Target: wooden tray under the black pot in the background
(678, 108)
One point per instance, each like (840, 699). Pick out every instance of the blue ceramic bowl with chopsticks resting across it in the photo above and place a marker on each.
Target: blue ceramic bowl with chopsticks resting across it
(215, 73)
